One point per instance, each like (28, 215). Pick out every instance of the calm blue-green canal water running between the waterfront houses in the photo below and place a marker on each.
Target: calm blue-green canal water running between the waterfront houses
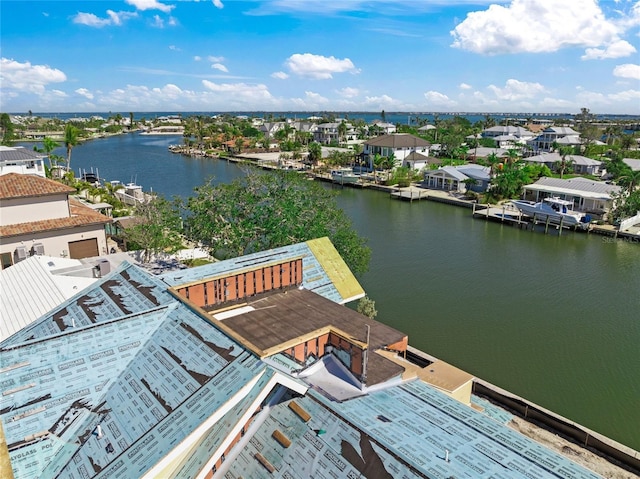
(553, 319)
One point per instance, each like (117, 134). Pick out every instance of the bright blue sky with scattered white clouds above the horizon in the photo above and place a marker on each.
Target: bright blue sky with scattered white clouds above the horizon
(539, 56)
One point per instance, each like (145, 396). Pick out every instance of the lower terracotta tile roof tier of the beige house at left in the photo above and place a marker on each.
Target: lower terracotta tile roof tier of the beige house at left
(81, 215)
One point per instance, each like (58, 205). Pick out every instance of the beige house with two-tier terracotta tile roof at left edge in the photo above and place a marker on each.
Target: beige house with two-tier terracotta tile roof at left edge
(39, 216)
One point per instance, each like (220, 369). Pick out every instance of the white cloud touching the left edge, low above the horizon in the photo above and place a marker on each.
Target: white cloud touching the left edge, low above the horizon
(27, 77)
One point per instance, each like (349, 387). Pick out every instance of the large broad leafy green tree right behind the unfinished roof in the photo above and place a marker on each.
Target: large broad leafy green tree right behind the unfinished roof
(263, 211)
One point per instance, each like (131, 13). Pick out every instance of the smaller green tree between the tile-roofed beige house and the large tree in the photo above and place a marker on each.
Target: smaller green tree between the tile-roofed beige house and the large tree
(157, 227)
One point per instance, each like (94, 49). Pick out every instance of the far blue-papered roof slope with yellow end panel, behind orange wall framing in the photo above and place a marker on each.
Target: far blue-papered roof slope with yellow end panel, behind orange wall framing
(324, 271)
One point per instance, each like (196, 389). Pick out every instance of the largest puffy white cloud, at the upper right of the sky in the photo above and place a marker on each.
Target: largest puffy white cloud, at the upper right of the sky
(535, 26)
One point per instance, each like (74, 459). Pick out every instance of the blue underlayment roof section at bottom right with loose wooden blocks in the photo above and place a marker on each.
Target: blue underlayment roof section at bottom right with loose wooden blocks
(405, 431)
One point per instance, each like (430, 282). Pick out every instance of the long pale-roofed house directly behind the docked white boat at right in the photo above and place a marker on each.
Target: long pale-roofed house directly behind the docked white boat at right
(589, 196)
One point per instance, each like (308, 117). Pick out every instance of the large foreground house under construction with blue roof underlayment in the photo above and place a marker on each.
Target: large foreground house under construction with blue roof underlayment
(244, 368)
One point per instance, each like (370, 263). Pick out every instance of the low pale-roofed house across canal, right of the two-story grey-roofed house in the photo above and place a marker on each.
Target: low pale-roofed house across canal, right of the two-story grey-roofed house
(459, 179)
